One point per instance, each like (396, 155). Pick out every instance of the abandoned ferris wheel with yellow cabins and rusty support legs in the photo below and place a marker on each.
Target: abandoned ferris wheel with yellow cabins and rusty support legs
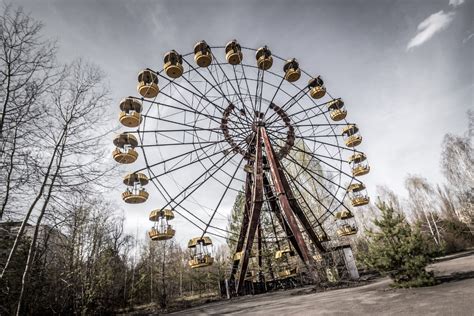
(227, 121)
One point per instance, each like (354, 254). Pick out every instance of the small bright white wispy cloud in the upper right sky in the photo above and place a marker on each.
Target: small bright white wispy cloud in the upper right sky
(430, 26)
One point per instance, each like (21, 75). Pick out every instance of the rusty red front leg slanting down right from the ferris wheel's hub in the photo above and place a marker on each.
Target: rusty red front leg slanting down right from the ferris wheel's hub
(282, 197)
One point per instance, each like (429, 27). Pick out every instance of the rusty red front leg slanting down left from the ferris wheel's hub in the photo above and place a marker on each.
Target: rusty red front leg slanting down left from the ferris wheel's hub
(254, 218)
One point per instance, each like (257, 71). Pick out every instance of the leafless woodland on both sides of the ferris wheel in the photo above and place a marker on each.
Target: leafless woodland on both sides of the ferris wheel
(63, 248)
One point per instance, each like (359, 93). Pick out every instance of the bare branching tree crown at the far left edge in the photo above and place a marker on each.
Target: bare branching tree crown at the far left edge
(27, 71)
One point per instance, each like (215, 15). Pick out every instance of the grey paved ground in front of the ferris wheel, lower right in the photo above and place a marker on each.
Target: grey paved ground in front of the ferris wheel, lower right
(453, 297)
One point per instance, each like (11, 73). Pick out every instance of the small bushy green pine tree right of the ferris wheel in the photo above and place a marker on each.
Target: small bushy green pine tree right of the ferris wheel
(398, 250)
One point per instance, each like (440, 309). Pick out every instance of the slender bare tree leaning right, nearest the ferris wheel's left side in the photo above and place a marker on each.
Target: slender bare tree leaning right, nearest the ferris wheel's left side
(79, 100)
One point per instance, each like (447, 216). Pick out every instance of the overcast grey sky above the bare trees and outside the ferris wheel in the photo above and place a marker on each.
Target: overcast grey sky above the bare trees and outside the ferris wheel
(404, 68)
